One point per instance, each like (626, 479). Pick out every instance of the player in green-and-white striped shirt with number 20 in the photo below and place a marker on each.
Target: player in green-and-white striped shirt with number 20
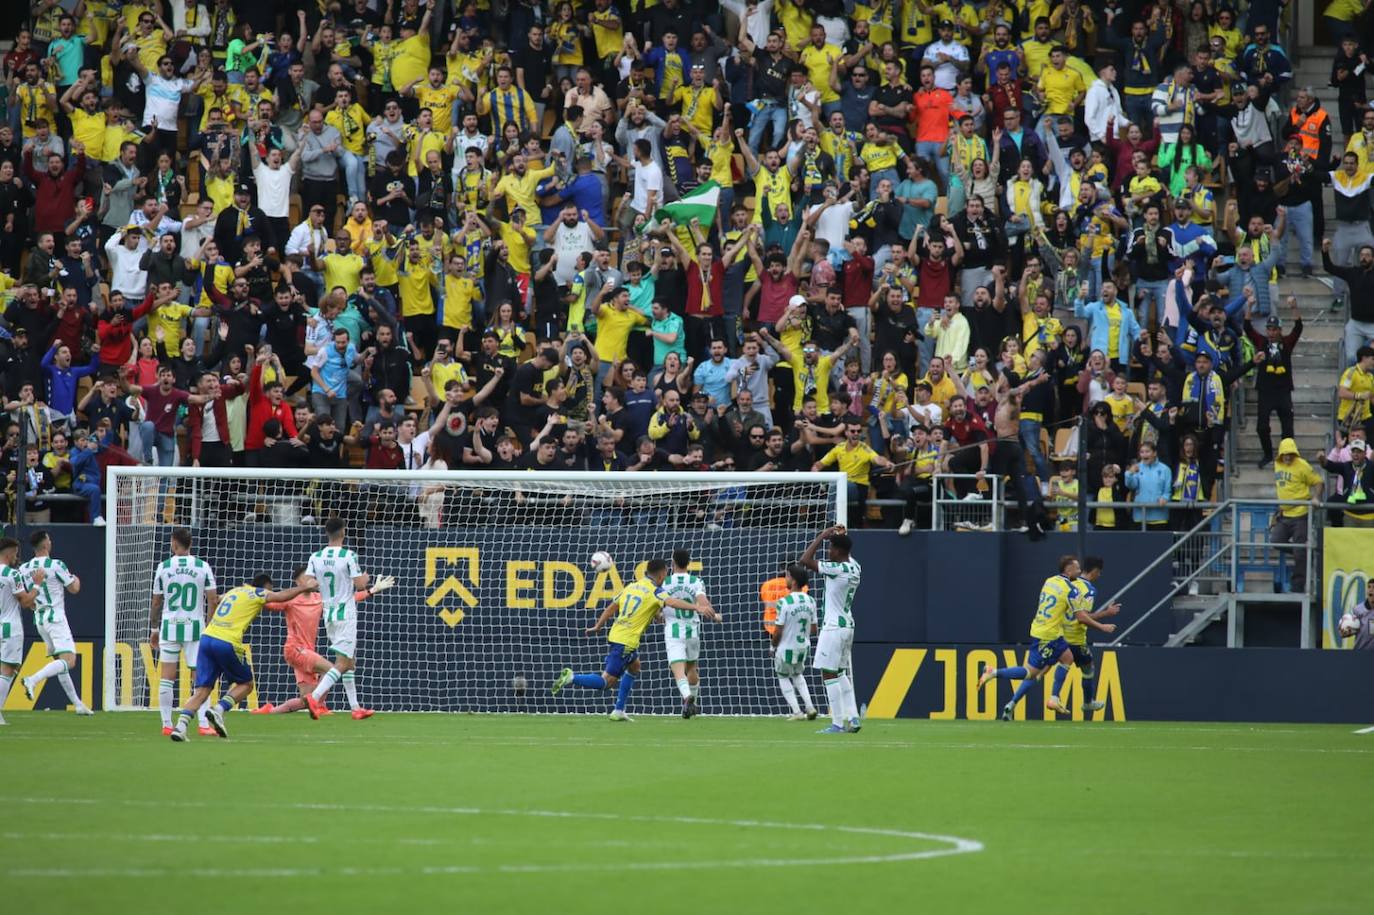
(183, 590)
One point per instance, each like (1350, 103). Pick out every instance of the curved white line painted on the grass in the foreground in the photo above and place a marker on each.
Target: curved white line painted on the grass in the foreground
(953, 846)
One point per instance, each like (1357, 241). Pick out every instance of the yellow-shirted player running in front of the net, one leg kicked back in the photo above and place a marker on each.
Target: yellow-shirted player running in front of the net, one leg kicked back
(638, 605)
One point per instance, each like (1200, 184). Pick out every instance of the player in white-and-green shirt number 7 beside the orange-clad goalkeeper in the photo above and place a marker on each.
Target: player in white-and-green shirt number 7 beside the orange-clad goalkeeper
(337, 574)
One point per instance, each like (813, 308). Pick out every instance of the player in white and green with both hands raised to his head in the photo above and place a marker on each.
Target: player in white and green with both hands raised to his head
(837, 633)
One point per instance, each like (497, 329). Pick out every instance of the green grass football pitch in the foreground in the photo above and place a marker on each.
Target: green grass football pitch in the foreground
(582, 815)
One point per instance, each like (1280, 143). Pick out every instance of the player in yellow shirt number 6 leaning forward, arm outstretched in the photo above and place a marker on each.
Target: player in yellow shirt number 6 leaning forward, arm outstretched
(222, 652)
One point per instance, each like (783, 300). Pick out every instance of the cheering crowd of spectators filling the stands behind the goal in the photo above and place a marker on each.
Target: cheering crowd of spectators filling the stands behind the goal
(403, 236)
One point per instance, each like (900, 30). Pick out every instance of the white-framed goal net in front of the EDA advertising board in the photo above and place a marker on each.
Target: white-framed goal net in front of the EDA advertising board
(494, 586)
